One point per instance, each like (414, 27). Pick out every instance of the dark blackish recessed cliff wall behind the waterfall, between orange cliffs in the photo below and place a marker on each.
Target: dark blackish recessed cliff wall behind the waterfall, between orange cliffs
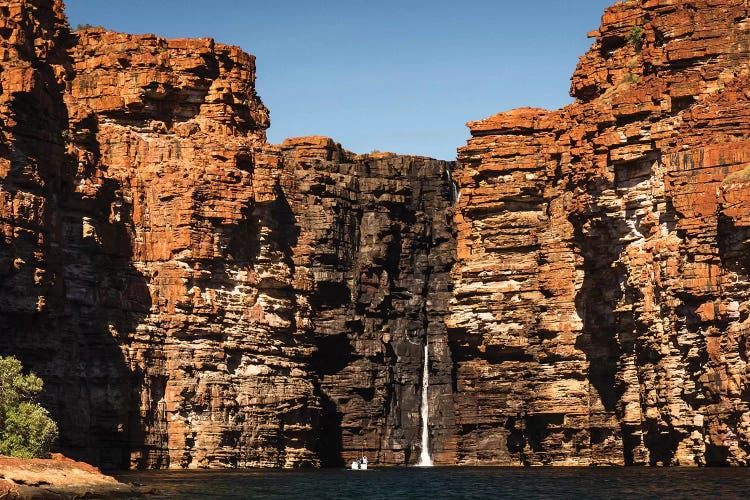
(374, 248)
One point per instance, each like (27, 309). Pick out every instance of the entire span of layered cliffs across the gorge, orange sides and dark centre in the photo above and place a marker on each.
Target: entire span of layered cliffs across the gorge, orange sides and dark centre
(574, 287)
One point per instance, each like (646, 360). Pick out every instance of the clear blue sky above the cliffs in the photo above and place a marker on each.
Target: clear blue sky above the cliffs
(392, 75)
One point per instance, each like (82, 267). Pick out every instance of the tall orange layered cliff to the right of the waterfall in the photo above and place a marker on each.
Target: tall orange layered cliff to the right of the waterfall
(600, 303)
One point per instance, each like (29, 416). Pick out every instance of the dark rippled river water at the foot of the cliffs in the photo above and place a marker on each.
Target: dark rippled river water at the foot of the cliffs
(450, 482)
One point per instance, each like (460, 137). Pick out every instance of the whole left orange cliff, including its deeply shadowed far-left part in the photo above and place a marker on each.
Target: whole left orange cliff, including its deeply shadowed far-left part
(145, 282)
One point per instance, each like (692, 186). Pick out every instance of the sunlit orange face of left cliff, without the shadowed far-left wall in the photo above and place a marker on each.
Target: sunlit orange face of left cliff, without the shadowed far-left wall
(172, 133)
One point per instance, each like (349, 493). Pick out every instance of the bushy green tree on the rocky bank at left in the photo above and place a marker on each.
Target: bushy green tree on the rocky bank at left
(26, 429)
